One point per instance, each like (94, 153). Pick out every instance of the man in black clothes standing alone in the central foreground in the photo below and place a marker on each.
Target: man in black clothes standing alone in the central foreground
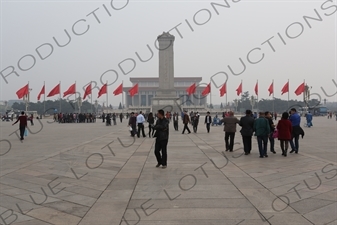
(162, 136)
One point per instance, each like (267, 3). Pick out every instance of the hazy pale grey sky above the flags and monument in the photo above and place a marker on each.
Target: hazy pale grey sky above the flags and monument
(300, 49)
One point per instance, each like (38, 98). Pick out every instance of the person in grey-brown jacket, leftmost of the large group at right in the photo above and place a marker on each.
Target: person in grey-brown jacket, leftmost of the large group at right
(230, 129)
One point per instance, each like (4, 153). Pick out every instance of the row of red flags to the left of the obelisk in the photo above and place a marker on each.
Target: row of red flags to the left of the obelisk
(72, 90)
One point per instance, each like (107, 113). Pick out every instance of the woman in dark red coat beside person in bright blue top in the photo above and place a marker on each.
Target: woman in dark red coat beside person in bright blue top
(284, 129)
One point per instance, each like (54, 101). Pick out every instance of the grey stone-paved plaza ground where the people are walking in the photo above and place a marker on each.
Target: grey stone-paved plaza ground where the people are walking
(90, 174)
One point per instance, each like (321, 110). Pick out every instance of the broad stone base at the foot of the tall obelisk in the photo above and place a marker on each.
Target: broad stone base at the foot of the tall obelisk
(166, 103)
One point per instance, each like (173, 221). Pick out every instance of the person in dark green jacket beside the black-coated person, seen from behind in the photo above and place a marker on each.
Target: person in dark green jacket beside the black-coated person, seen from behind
(262, 130)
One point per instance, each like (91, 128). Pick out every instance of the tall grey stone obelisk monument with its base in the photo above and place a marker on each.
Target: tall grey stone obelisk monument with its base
(166, 97)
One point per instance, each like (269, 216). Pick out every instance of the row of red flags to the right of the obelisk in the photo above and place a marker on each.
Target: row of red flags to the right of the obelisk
(223, 90)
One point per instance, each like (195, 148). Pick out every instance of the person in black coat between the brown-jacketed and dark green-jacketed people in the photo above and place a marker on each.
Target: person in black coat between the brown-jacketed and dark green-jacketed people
(247, 124)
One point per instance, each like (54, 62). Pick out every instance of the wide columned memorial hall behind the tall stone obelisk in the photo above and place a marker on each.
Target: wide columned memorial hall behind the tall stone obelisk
(147, 87)
